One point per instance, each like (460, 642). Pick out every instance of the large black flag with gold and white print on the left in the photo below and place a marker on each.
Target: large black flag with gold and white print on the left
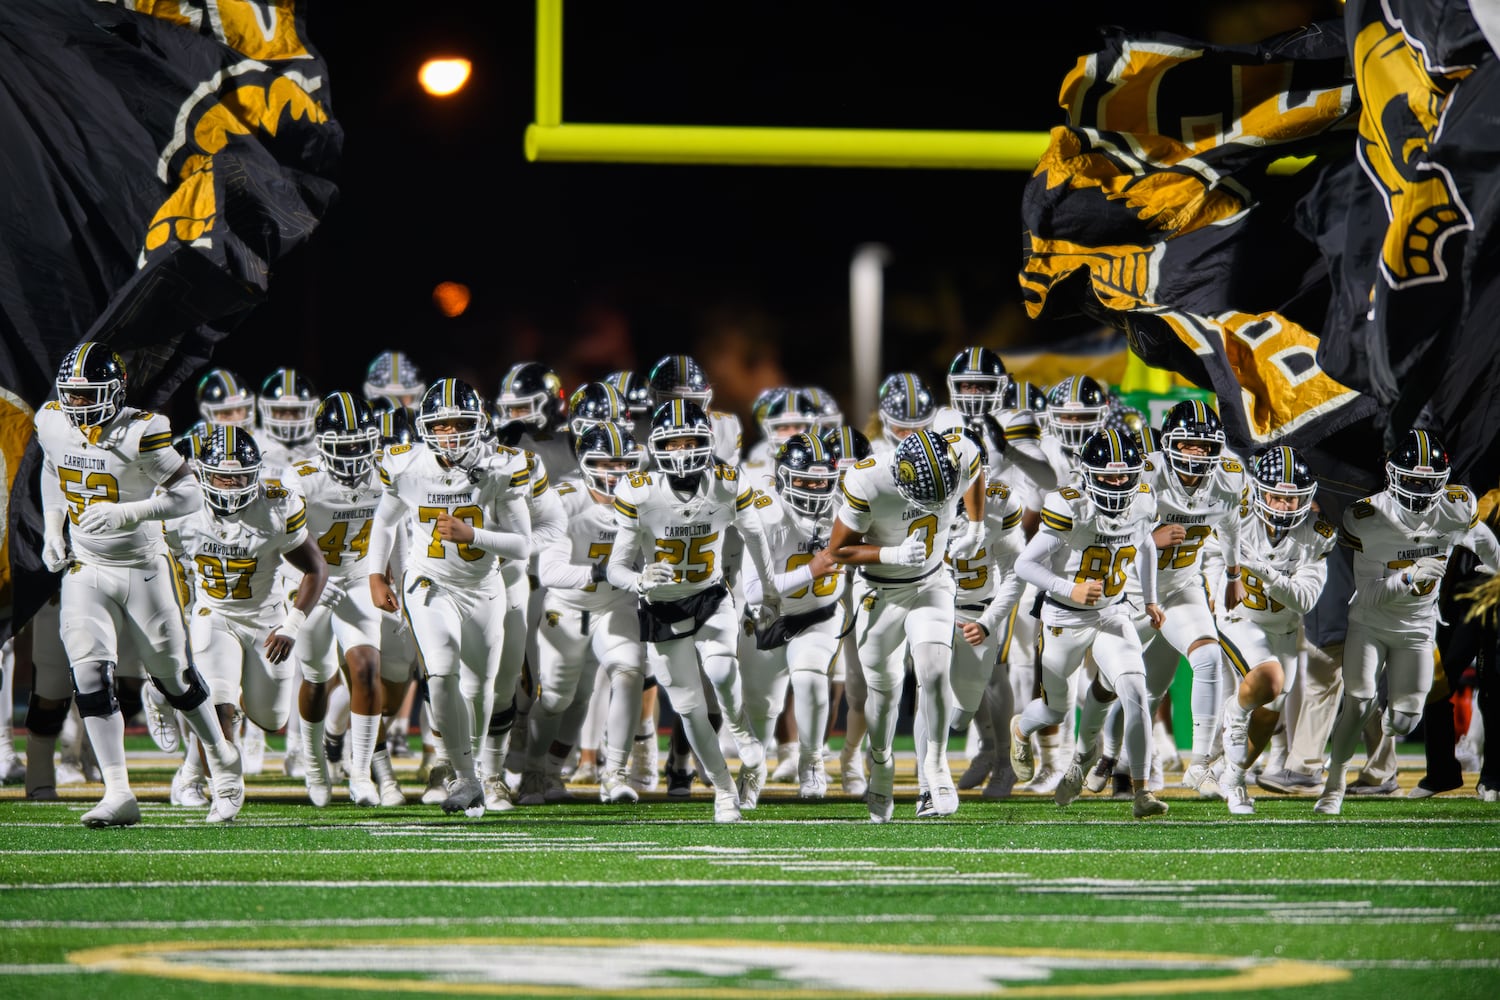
(157, 160)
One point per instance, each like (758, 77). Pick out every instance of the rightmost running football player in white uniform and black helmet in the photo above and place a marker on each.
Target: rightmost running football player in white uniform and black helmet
(1402, 539)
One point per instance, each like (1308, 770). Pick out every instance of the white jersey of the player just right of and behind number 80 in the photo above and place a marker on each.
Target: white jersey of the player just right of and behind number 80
(1216, 507)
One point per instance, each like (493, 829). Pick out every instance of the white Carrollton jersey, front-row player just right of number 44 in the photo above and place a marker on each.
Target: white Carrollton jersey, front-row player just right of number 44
(478, 496)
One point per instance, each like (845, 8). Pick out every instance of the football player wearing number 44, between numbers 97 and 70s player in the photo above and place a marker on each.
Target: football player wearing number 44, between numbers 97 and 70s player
(343, 491)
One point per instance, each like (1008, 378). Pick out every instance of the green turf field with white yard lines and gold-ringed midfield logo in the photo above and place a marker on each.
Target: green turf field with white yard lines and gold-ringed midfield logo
(1396, 899)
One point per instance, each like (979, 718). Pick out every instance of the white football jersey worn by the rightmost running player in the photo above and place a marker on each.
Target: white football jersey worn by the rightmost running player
(1387, 539)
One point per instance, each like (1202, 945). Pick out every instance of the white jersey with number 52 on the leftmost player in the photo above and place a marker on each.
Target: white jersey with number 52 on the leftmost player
(122, 463)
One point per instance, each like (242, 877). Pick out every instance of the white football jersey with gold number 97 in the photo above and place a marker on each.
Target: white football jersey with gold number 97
(235, 560)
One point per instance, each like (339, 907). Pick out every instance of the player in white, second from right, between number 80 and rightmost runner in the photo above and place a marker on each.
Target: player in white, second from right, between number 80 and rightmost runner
(1283, 561)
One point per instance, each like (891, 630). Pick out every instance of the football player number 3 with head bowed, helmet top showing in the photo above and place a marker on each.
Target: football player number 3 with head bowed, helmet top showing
(896, 524)
